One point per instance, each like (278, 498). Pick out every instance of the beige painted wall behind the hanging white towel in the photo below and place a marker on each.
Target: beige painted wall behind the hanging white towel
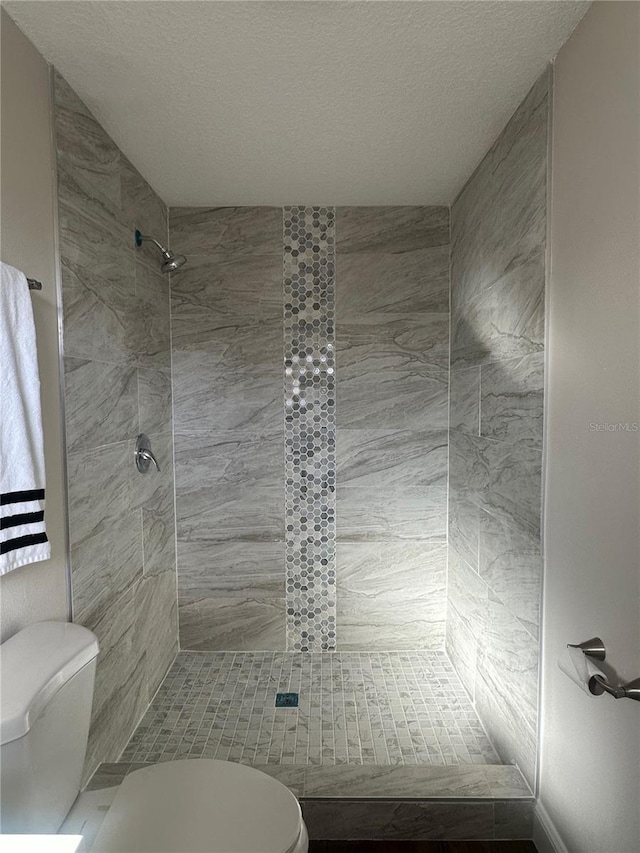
(27, 241)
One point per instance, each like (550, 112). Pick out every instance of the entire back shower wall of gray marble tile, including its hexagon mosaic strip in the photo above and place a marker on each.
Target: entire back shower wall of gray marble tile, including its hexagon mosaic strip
(234, 484)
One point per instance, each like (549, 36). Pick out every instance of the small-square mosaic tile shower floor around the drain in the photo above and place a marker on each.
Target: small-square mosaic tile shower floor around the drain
(354, 708)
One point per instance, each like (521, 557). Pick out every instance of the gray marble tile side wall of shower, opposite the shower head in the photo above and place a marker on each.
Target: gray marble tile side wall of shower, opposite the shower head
(495, 462)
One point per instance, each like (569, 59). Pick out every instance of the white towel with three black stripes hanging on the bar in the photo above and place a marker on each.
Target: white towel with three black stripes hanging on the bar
(23, 537)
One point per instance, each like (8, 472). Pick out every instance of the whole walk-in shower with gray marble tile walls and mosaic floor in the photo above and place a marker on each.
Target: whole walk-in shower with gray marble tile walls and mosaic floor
(346, 412)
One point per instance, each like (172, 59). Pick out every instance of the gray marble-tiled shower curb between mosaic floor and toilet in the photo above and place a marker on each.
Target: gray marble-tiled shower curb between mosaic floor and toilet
(387, 802)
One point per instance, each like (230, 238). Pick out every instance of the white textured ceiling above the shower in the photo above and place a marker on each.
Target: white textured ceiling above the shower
(222, 103)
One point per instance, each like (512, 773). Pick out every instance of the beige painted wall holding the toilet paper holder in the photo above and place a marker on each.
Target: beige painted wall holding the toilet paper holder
(590, 748)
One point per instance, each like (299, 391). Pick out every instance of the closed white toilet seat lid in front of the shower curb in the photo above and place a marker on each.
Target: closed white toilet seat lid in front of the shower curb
(201, 806)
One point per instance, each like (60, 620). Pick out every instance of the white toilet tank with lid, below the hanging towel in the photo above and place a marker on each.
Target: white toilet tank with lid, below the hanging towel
(46, 677)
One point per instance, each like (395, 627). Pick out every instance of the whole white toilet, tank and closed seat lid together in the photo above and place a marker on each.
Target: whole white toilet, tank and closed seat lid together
(192, 806)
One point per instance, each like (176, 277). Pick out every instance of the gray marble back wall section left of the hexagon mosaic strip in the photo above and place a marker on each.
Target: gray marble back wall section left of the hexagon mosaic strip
(227, 339)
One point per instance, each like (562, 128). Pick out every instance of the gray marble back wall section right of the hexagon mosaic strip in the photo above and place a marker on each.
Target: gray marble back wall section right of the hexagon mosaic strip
(392, 336)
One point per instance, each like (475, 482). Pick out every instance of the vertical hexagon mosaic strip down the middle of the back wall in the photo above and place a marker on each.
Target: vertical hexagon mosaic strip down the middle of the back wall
(310, 427)
